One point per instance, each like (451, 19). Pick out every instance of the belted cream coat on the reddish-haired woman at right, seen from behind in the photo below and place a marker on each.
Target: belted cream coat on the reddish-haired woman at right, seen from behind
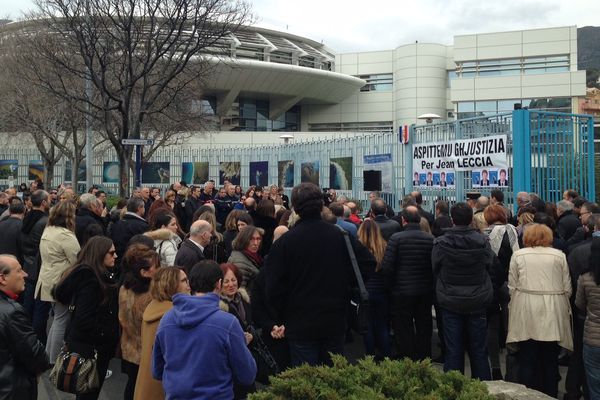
(540, 287)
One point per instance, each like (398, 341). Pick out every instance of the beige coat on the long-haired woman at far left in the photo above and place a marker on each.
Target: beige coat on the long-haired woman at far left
(58, 250)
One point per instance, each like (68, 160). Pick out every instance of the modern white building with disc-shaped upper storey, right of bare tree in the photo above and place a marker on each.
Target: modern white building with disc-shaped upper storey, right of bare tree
(288, 83)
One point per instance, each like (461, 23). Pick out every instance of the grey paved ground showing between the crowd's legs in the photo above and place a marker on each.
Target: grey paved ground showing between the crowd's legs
(114, 387)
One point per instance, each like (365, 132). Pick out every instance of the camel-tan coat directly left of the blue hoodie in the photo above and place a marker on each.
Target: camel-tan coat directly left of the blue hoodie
(146, 387)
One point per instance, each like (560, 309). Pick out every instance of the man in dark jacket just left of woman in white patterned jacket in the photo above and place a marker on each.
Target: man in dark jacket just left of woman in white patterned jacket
(133, 223)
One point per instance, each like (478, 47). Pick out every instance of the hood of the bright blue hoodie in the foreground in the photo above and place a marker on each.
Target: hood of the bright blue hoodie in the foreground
(190, 311)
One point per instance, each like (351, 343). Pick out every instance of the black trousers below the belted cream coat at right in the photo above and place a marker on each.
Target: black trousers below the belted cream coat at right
(538, 366)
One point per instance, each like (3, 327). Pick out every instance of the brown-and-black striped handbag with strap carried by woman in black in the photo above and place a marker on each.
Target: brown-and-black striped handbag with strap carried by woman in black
(75, 371)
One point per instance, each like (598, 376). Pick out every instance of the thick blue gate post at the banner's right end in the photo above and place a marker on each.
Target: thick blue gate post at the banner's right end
(521, 152)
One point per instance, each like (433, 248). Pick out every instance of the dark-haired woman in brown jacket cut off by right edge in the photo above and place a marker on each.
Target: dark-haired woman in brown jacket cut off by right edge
(588, 299)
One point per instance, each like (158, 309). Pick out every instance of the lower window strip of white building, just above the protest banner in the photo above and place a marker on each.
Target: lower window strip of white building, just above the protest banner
(470, 109)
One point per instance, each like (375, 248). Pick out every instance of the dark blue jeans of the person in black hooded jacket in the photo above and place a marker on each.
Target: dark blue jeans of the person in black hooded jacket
(473, 327)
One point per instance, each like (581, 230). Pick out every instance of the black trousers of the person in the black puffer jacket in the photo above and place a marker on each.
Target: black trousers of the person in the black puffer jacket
(413, 325)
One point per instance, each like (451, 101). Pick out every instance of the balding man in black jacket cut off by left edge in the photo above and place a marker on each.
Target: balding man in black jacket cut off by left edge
(22, 356)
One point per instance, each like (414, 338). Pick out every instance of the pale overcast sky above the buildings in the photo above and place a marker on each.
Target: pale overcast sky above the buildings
(359, 25)
